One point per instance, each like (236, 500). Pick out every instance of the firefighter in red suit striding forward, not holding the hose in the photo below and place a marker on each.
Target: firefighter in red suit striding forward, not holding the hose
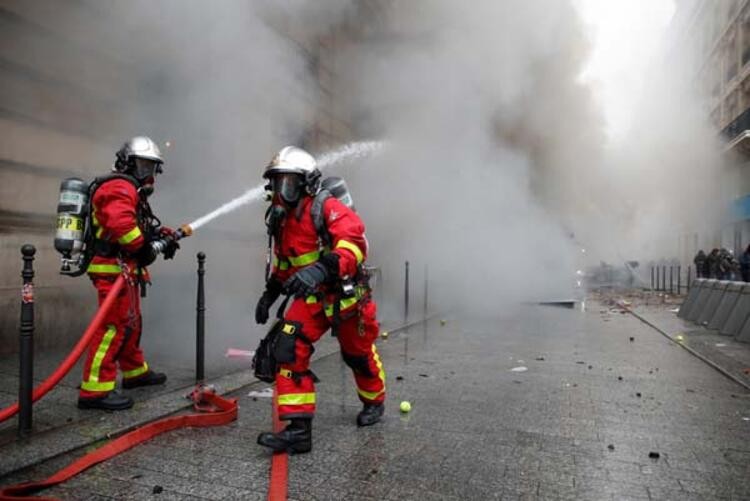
(325, 278)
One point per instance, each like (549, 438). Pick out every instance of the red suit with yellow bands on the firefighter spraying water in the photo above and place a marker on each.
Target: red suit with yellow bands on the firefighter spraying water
(116, 205)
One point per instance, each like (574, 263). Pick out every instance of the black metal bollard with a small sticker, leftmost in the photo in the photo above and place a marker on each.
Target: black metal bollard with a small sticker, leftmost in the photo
(26, 351)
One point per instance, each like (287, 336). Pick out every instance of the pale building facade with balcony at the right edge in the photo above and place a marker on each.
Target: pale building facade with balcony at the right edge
(714, 36)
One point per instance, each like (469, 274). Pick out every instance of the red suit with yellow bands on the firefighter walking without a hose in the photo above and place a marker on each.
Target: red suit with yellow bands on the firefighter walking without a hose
(309, 318)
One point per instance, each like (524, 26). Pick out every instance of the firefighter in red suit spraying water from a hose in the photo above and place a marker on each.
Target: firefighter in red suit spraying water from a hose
(125, 232)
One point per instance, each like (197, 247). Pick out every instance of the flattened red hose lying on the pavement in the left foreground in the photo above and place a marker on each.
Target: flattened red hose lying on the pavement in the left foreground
(213, 410)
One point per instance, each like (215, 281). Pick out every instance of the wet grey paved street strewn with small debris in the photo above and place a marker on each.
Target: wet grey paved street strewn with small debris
(599, 396)
